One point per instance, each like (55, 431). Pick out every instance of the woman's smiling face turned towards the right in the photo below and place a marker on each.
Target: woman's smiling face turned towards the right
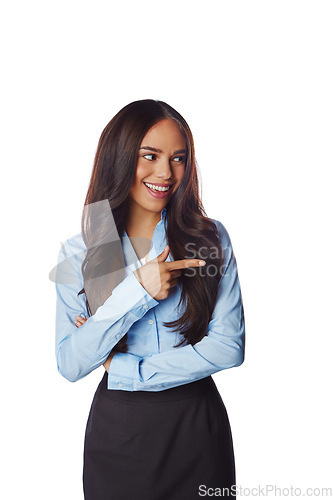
(161, 163)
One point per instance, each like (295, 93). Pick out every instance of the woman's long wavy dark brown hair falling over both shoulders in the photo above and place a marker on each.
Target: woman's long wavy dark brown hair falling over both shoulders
(113, 174)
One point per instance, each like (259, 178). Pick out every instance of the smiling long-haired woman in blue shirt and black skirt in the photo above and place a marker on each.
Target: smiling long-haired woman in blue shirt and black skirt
(139, 300)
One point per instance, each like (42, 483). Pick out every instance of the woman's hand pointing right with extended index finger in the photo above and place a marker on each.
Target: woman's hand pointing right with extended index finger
(157, 276)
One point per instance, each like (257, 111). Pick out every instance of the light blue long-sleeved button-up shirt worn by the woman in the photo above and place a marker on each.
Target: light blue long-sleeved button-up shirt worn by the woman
(152, 363)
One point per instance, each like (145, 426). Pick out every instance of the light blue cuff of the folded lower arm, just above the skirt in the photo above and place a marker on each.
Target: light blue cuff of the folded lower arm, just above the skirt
(123, 370)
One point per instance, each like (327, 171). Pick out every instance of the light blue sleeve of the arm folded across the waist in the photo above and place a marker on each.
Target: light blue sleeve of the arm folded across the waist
(223, 347)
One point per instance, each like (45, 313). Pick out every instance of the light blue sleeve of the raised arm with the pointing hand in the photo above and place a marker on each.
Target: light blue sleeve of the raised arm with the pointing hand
(81, 350)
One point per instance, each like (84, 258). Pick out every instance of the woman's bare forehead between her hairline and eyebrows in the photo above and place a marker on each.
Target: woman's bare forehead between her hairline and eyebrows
(164, 132)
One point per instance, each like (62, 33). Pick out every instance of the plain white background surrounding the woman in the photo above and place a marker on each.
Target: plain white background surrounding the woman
(254, 81)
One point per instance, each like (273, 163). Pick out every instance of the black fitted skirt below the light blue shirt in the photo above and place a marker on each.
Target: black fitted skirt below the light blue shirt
(166, 445)
